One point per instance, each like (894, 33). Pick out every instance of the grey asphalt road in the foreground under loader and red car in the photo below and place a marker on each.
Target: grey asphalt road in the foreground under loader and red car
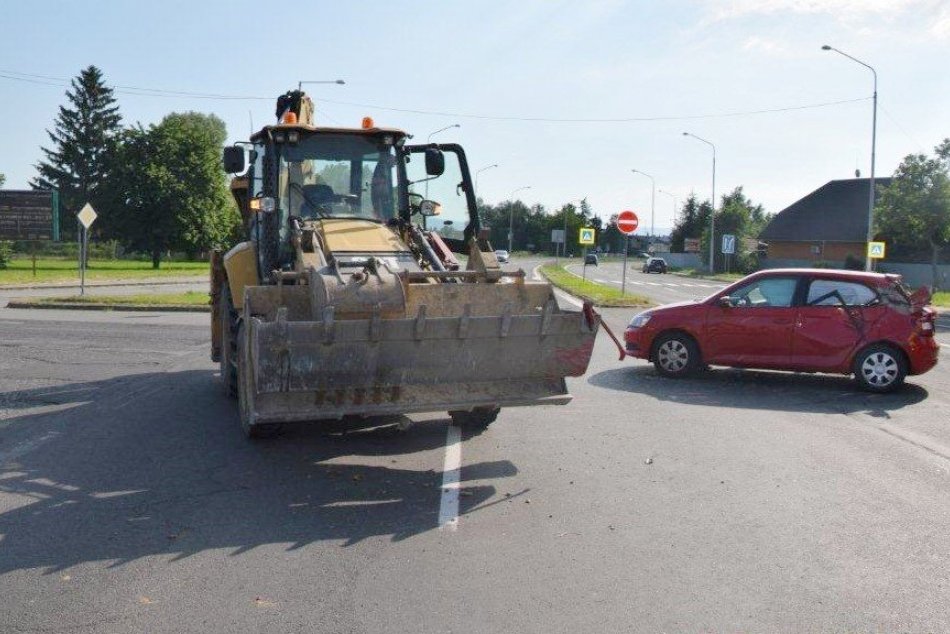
(736, 501)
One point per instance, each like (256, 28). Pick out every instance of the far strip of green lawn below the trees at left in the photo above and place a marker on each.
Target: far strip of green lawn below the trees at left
(20, 271)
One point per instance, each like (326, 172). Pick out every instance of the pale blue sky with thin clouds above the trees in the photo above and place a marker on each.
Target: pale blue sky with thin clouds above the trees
(607, 59)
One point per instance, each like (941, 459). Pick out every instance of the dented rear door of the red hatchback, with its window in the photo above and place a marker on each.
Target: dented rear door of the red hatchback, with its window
(831, 323)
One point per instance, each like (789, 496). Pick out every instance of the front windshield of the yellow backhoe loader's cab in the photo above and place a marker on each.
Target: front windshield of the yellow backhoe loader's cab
(337, 175)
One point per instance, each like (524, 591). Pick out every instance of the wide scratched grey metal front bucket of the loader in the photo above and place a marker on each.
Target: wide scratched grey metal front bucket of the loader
(310, 370)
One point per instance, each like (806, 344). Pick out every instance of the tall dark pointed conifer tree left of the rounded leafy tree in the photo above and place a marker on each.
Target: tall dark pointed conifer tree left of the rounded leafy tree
(81, 139)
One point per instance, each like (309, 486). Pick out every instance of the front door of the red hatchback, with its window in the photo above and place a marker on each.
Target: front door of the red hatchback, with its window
(755, 330)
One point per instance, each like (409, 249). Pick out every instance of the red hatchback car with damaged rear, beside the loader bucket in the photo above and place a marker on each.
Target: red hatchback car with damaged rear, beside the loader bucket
(806, 320)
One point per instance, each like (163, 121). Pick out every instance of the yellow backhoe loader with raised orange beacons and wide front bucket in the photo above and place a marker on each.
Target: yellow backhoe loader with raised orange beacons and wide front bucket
(366, 286)
